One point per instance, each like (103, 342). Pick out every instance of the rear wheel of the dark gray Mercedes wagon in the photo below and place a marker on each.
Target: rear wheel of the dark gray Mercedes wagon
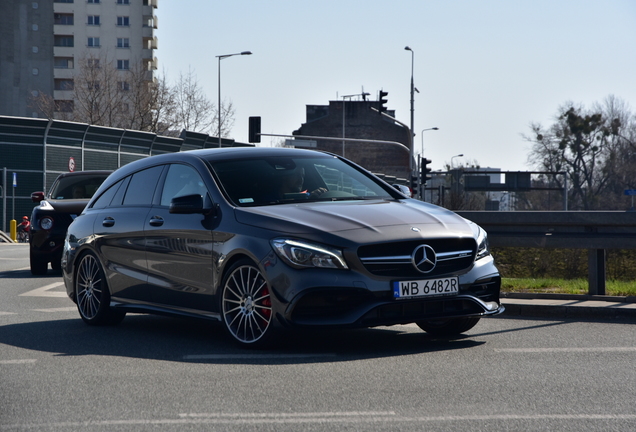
(92, 294)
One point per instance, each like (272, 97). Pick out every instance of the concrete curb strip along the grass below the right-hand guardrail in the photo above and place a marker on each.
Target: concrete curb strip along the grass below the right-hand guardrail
(578, 307)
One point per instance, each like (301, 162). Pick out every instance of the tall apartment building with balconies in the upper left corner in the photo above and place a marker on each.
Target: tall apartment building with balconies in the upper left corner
(42, 44)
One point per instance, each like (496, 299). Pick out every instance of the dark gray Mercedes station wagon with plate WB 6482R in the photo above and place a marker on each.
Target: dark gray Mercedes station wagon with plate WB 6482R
(264, 239)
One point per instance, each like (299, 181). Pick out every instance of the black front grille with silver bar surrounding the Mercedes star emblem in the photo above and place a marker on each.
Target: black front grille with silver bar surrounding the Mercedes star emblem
(454, 255)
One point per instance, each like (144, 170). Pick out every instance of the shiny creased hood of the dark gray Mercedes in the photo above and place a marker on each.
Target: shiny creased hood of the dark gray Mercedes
(378, 217)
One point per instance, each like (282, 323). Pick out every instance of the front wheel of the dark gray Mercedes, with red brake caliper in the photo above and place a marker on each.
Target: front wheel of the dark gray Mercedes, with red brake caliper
(246, 306)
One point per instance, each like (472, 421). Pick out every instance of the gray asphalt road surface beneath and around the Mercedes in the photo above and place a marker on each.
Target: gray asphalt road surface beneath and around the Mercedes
(165, 374)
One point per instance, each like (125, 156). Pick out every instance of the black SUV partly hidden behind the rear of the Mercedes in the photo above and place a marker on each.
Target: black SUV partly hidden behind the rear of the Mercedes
(50, 219)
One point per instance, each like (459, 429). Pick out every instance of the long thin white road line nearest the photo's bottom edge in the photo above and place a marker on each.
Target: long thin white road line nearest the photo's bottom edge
(353, 417)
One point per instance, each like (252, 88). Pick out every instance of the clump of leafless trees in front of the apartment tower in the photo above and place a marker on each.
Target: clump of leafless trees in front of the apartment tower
(129, 97)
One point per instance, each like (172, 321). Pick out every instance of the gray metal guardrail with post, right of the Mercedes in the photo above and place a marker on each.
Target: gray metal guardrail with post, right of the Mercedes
(595, 231)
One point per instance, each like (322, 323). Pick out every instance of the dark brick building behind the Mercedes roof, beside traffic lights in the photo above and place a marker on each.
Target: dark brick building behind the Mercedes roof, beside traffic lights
(362, 123)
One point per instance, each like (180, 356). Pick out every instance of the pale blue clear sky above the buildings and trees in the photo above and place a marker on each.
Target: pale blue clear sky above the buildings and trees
(484, 69)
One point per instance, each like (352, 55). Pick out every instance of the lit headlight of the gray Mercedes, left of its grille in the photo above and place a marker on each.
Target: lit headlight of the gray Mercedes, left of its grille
(302, 254)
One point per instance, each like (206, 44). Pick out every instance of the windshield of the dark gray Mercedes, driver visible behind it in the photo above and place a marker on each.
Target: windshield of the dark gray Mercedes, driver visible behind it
(277, 180)
